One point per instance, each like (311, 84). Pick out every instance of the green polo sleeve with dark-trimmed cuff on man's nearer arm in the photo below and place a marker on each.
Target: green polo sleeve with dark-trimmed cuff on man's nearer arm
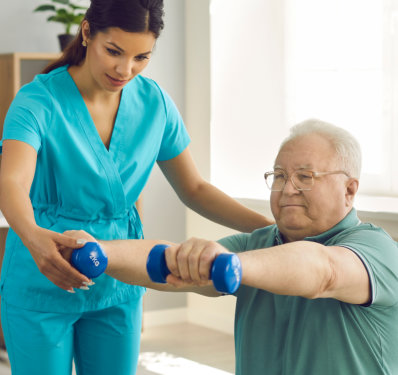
(379, 253)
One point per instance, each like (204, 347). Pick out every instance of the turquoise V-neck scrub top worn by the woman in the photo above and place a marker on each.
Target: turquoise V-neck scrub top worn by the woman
(80, 184)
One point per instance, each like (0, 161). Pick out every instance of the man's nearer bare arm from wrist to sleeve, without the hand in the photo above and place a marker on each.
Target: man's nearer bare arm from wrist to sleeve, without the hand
(308, 269)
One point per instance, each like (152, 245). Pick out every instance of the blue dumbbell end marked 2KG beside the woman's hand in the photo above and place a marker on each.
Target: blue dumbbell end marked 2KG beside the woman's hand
(90, 260)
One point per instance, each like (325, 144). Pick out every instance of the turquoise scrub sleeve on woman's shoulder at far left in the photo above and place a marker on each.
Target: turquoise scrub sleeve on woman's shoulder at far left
(26, 116)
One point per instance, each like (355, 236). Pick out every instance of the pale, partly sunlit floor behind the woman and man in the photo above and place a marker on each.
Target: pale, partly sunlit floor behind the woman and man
(181, 349)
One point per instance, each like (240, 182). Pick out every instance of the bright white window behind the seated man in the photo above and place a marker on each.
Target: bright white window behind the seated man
(276, 63)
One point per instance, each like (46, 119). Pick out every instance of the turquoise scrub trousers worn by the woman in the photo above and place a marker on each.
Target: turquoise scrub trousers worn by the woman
(100, 342)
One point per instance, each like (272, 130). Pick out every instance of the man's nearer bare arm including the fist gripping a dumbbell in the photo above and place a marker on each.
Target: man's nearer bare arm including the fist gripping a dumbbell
(301, 268)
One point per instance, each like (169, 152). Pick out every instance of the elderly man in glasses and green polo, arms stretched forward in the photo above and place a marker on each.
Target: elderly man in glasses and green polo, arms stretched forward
(319, 291)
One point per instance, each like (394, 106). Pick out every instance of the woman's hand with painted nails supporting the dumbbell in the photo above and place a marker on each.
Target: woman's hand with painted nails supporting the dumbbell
(49, 250)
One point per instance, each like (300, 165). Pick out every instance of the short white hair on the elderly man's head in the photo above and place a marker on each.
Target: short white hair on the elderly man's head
(347, 147)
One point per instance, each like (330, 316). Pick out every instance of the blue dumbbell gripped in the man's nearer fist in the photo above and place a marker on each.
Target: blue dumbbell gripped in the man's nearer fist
(226, 270)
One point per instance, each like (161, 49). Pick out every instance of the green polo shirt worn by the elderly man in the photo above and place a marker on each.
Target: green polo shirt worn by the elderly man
(289, 335)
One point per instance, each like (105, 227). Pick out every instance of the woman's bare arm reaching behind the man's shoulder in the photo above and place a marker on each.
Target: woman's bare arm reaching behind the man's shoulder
(206, 199)
